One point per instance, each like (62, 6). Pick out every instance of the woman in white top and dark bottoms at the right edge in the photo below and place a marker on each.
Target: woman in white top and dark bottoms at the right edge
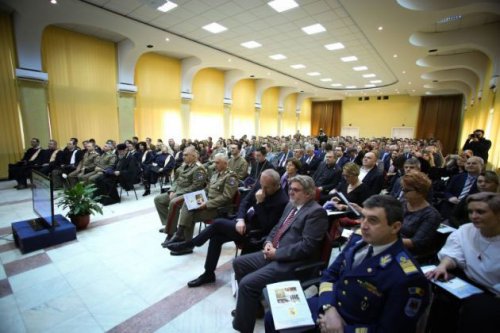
(475, 249)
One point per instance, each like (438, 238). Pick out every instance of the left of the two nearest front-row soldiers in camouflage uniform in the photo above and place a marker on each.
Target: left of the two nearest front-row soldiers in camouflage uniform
(189, 177)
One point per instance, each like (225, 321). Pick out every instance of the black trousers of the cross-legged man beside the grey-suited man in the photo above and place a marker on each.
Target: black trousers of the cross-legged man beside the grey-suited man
(219, 232)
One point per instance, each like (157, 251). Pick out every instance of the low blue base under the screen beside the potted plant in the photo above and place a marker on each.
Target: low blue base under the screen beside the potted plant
(28, 239)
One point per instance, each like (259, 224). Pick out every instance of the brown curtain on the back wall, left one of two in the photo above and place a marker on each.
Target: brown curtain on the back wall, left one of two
(326, 115)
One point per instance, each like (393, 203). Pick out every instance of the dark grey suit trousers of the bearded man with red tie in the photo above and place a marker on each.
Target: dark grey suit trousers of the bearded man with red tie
(253, 273)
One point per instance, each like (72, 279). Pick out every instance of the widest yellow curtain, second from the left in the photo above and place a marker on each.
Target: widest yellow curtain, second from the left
(82, 85)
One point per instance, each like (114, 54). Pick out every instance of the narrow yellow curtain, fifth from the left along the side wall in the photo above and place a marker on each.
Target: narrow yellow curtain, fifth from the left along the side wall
(243, 108)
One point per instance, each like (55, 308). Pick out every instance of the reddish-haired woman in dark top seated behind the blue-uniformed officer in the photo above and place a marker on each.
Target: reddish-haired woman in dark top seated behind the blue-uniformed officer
(421, 219)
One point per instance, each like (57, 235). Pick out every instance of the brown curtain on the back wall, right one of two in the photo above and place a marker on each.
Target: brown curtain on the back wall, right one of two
(439, 118)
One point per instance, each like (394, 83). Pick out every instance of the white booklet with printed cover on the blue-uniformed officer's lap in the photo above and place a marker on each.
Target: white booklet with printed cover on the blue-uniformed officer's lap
(289, 306)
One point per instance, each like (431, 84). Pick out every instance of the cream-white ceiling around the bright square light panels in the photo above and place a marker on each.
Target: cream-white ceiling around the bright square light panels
(387, 53)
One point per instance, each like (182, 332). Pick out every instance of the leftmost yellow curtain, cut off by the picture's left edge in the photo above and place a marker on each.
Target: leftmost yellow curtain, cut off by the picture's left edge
(11, 145)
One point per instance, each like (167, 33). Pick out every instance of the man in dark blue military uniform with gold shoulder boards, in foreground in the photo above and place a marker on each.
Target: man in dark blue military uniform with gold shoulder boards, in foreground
(374, 285)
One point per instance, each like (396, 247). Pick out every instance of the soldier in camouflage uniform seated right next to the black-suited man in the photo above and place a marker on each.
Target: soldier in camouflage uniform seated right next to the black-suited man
(220, 192)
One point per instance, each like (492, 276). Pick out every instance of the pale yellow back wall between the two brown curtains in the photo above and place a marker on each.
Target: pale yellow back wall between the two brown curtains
(377, 118)
